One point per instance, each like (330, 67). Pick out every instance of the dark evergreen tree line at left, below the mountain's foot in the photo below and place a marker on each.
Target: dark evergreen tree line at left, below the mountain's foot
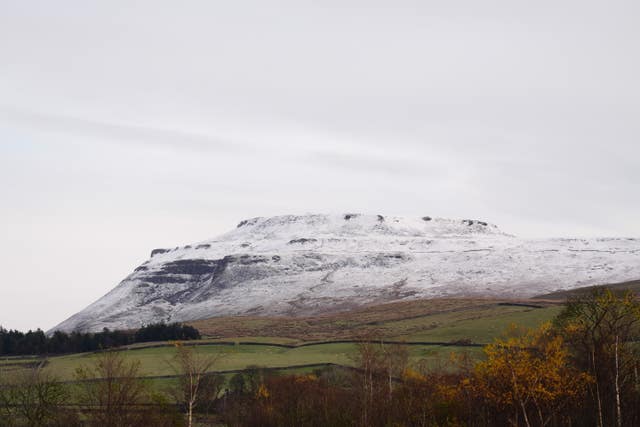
(14, 343)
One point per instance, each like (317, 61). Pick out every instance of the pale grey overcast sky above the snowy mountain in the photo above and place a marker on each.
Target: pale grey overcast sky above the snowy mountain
(130, 125)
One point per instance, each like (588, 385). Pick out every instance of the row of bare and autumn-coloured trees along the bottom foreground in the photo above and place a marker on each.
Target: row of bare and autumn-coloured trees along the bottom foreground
(582, 369)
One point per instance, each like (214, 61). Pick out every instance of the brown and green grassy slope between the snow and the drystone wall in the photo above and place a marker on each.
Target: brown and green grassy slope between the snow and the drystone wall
(413, 319)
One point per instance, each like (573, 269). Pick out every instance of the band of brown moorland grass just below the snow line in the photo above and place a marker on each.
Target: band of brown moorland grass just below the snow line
(398, 320)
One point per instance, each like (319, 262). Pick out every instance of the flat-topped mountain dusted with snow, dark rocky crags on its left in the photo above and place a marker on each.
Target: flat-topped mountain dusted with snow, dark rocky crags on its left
(301, 265)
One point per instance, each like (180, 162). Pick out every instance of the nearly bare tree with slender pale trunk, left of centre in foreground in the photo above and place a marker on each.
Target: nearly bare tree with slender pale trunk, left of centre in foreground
(196, 386)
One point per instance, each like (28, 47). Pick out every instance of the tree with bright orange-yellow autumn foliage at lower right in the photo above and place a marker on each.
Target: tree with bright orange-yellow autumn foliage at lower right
(529, 372)
